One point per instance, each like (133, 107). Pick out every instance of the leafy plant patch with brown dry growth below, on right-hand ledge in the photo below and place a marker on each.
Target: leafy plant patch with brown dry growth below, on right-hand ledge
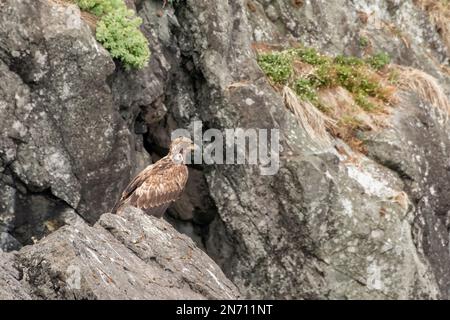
(361, 83)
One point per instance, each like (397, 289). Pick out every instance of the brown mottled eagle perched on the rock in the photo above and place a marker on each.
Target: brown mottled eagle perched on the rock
(161, 183)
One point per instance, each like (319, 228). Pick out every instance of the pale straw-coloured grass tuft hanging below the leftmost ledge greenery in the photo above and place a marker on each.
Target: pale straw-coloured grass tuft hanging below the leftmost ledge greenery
(314, 122)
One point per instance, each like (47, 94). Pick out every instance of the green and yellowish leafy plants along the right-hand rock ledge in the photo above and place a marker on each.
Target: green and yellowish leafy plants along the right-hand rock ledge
(356, 75)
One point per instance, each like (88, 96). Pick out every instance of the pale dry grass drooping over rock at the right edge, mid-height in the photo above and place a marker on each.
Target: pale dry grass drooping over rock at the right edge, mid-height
(426, 86)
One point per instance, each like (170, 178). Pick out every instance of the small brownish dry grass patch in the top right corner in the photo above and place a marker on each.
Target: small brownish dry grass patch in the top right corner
(439, 11)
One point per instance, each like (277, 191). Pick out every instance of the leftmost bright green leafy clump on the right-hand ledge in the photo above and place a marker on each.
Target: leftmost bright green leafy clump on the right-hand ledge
(277, 66)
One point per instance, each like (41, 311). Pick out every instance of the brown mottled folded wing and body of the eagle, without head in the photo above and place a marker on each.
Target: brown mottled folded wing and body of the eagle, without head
(155, 188)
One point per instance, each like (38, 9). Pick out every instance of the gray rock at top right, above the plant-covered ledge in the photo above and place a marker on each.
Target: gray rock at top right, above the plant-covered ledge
(397, 27)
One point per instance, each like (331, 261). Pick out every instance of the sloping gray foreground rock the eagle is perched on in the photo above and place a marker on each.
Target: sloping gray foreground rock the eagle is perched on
(131, 256)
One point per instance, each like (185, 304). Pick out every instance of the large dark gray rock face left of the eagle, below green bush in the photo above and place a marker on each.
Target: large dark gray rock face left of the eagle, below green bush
(63, 143)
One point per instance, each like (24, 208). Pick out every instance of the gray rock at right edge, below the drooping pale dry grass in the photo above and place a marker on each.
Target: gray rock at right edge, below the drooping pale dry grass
(416, 147)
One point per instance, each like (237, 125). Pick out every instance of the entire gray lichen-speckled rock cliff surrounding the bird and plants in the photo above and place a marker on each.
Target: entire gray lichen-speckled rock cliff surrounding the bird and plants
(330, 224)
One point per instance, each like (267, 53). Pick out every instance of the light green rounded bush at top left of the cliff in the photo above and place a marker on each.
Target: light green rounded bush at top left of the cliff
(119, 33)
